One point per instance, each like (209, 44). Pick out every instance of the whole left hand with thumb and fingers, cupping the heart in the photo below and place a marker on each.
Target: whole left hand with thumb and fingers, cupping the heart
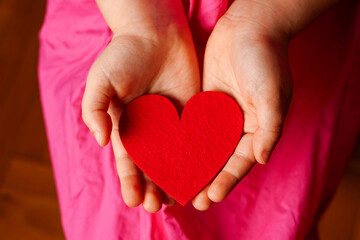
(146, 56)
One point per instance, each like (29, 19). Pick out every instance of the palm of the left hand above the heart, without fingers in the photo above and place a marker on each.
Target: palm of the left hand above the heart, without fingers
(136, 66)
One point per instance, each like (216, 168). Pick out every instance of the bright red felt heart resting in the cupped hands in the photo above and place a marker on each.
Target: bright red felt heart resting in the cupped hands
(181, 156)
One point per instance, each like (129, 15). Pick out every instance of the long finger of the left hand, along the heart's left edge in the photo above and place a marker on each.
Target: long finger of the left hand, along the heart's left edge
(129, 175)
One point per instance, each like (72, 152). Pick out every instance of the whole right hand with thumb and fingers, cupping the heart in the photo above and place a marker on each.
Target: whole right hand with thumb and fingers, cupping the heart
(248, 62)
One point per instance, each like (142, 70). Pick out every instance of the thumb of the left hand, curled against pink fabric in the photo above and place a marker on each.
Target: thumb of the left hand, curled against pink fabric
(95, 104)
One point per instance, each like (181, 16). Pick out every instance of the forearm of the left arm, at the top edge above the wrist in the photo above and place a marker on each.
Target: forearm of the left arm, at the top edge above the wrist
(141, 15)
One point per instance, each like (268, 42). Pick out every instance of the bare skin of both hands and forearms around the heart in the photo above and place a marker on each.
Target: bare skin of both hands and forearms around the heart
(152, 52)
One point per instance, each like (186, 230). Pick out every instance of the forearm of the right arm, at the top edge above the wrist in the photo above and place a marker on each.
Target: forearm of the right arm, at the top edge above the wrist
(283, 18)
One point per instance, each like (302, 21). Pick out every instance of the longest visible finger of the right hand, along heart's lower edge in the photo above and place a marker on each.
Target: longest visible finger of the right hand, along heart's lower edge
(238, 166)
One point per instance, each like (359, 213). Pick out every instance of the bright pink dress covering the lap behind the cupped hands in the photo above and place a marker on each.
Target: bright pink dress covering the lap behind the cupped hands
(282, 200)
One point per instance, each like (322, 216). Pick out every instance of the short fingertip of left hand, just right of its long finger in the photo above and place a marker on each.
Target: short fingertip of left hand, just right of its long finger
(152, 196)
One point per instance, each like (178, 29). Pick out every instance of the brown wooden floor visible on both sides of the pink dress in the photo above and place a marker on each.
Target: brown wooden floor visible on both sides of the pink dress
(28, 201)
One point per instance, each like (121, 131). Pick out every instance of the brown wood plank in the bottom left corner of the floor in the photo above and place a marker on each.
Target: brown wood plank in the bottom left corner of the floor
(24, 216)
